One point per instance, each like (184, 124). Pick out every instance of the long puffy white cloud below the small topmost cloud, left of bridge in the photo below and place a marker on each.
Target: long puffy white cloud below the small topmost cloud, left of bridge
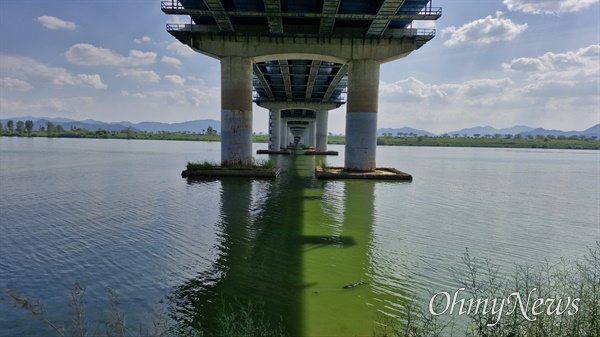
(88, 55)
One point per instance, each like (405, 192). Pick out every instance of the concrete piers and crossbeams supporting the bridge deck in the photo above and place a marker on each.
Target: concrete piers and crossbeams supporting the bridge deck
(362, 56)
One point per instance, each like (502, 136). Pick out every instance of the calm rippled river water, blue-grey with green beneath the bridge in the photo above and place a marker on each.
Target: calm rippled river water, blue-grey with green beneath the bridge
(116, 213)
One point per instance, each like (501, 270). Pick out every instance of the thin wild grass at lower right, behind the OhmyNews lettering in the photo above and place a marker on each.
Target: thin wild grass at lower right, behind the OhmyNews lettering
(554, 287)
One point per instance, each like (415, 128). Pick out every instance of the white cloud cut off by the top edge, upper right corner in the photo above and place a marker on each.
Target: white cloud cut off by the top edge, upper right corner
(548, 6)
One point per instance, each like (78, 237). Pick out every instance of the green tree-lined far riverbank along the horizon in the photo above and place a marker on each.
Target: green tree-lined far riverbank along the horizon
(543, 142)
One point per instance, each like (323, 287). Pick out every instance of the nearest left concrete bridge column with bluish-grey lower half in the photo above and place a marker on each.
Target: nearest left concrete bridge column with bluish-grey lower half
(236, 111)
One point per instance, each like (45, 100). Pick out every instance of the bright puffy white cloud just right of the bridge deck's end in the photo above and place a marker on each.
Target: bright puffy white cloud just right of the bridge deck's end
(483, 31)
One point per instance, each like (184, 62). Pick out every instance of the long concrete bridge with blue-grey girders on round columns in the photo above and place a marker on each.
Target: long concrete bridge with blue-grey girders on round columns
(300, 59)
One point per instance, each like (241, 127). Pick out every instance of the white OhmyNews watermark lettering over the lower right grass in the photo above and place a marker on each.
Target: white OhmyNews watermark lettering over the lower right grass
(503, 306)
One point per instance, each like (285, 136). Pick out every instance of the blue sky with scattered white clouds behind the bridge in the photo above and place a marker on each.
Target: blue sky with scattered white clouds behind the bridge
(495, 63)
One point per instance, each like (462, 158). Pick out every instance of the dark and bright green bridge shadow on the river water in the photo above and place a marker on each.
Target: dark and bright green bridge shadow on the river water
(299, 245)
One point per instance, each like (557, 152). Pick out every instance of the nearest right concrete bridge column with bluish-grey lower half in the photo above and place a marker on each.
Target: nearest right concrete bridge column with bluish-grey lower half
(361, 116)
